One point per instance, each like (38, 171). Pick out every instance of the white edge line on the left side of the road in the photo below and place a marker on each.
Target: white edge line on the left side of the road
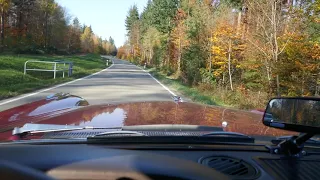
(54, 87)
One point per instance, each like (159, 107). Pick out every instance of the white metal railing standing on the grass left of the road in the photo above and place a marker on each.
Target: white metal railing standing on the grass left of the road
(54, 67)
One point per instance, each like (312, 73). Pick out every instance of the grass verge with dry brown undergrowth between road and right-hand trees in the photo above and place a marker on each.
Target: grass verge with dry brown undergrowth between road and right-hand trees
(211, 95)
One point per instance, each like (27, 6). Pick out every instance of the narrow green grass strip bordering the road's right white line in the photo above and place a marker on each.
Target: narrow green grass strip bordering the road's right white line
(189, 92)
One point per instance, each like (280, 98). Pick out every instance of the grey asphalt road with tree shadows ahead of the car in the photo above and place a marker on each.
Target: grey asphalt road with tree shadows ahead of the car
(122, 82)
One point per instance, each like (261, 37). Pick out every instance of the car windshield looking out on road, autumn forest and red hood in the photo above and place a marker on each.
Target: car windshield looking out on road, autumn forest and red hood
(143, 62)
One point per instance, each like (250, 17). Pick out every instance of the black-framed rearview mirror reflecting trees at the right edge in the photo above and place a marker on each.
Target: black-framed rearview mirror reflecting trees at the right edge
(294, 114)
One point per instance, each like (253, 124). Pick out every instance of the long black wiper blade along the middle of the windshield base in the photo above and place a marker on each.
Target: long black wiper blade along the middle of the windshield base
(139, 137)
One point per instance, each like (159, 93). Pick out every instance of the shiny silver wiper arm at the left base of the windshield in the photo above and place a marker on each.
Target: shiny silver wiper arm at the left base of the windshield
(29, 129)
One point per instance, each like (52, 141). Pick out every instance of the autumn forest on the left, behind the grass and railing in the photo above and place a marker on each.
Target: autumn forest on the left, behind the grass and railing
(44, 27)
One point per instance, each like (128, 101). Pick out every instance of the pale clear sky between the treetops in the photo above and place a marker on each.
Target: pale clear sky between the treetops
(106, 17)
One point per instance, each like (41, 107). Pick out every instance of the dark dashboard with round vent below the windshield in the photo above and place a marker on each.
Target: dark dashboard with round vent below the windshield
(122, 162)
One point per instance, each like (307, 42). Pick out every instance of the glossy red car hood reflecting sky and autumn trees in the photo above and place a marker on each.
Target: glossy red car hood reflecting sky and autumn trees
(73, 110)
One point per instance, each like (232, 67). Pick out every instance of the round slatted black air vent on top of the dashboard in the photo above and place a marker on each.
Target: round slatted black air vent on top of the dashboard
(234, 168)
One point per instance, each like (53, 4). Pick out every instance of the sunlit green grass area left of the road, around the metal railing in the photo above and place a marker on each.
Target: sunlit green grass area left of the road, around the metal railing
(13, 82)
